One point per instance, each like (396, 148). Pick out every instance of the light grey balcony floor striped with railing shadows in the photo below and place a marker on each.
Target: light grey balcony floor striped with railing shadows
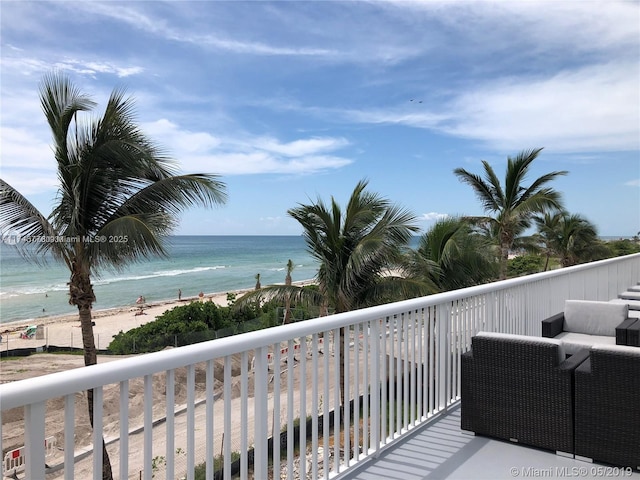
(440, 450)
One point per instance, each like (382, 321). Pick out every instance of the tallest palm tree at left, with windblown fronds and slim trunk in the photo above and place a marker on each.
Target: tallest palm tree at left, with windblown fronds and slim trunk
(119, 196)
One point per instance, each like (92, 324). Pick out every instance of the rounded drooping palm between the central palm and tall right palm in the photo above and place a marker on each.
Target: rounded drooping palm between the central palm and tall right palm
(451, 255)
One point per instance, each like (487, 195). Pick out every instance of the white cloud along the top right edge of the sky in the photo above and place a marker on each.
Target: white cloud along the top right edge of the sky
(485, 23)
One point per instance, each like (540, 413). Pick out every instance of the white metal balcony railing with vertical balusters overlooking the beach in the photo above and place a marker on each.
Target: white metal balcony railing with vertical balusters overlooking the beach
(228, 398)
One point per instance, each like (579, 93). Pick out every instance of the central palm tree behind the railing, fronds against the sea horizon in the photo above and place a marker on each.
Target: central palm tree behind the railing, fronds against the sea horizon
(355, 248)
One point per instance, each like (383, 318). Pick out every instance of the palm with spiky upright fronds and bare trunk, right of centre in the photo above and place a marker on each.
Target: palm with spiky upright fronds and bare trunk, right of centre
(514, 204)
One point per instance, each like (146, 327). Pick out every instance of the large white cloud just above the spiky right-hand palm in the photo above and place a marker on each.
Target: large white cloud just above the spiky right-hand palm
(593, 108)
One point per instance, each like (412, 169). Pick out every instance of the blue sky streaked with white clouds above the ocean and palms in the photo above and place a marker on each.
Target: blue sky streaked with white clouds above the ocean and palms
(291, 101)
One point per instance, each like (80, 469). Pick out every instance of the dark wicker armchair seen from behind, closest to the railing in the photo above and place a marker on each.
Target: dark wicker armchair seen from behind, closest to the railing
(519, 388)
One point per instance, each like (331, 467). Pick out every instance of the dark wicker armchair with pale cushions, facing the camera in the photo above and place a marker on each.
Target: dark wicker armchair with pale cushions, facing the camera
(585, 323)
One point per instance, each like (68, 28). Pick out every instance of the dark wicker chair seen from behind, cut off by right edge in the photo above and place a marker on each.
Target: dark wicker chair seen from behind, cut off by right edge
(607, 409)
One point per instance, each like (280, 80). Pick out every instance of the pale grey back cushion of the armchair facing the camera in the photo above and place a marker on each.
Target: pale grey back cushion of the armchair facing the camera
(593, 318)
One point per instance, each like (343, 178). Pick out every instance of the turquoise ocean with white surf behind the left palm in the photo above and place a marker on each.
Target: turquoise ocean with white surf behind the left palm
(212, 264)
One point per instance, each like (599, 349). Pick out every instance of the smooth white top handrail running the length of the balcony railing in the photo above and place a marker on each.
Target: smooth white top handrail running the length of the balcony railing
(38, 389)
